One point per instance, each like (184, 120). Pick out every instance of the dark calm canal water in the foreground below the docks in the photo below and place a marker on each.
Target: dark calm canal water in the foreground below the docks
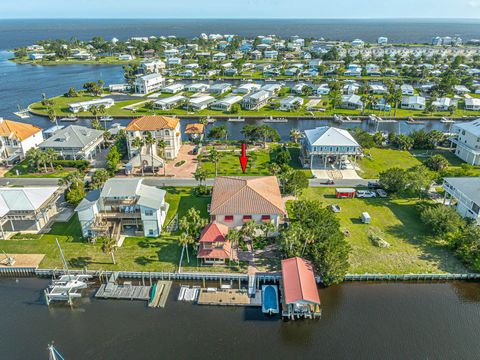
(360, 321)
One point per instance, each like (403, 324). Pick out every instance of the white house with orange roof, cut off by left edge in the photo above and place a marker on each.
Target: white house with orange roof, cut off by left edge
(16, 139)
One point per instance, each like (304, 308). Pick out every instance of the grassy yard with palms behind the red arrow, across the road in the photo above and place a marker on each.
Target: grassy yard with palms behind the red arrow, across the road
(258, 162)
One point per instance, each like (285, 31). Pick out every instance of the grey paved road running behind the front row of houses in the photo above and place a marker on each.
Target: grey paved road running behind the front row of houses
(160, 182)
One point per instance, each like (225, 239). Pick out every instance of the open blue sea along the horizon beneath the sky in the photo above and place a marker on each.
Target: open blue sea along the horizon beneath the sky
(25, 32)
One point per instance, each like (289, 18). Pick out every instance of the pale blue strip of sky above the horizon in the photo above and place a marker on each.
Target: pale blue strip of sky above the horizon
(240, 9)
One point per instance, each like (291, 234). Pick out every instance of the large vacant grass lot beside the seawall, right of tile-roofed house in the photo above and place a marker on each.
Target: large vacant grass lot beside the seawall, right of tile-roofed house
(412, 250)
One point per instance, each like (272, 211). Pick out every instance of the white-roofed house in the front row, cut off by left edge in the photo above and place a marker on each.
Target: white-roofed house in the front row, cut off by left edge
(26, 209)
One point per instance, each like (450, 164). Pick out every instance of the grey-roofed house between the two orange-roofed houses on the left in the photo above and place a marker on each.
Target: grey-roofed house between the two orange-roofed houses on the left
(75, 142)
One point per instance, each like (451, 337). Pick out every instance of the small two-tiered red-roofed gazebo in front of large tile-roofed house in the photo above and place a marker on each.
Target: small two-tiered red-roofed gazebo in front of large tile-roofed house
(213, 247)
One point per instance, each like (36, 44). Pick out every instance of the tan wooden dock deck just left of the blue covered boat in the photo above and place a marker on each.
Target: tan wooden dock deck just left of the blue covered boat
(229, 297)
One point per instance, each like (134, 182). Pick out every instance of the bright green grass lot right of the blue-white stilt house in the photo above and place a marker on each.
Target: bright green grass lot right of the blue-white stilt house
(383, 159)
